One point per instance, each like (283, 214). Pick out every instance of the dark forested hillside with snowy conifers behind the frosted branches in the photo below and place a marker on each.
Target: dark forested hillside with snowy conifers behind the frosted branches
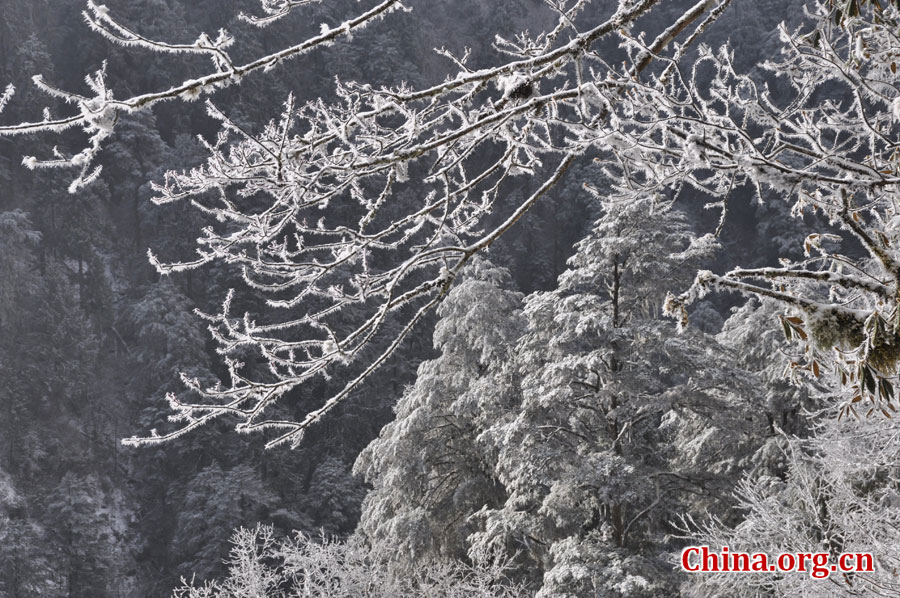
(91, 339)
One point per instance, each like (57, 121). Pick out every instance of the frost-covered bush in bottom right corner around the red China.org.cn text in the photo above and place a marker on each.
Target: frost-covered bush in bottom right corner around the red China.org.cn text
(839, 495)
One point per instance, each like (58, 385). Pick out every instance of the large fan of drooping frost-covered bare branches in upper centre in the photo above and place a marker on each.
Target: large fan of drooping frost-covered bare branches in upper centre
(361, 156)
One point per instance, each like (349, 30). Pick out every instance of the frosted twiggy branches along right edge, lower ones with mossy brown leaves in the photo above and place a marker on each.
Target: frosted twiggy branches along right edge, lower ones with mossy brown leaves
(836, 158)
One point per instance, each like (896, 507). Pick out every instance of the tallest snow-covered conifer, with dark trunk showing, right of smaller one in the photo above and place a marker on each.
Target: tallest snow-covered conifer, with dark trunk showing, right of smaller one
(621, 422)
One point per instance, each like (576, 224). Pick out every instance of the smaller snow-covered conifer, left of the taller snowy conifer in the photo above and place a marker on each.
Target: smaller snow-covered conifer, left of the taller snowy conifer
(428, 469)
